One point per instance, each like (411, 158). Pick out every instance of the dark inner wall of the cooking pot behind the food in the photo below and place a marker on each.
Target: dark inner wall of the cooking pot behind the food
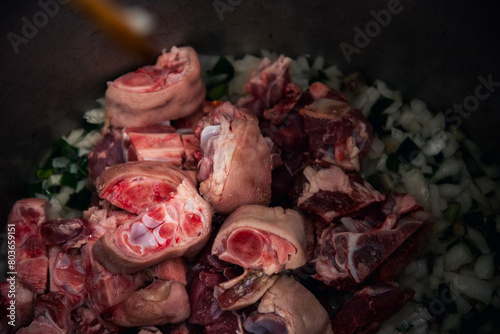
(54, 64)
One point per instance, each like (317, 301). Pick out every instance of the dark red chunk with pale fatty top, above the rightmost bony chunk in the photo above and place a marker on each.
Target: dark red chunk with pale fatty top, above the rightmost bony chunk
(329, 193)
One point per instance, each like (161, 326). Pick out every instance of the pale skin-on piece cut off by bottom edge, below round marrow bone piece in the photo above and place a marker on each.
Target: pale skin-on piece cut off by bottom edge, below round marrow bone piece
(289, 303)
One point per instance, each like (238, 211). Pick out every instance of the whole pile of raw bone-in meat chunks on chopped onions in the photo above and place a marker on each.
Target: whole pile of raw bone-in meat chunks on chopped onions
(218, 218)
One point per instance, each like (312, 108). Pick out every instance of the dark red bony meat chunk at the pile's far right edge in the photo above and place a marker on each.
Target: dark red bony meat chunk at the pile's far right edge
(349, 252)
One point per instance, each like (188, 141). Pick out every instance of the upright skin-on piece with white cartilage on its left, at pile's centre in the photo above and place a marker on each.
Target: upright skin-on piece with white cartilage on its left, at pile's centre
(236, 164)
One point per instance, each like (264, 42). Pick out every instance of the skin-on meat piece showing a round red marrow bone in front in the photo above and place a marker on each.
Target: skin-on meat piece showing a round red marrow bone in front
(258, 237)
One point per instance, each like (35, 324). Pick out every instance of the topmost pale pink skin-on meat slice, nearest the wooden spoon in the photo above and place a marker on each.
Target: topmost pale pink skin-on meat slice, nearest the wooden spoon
(169, 90)
